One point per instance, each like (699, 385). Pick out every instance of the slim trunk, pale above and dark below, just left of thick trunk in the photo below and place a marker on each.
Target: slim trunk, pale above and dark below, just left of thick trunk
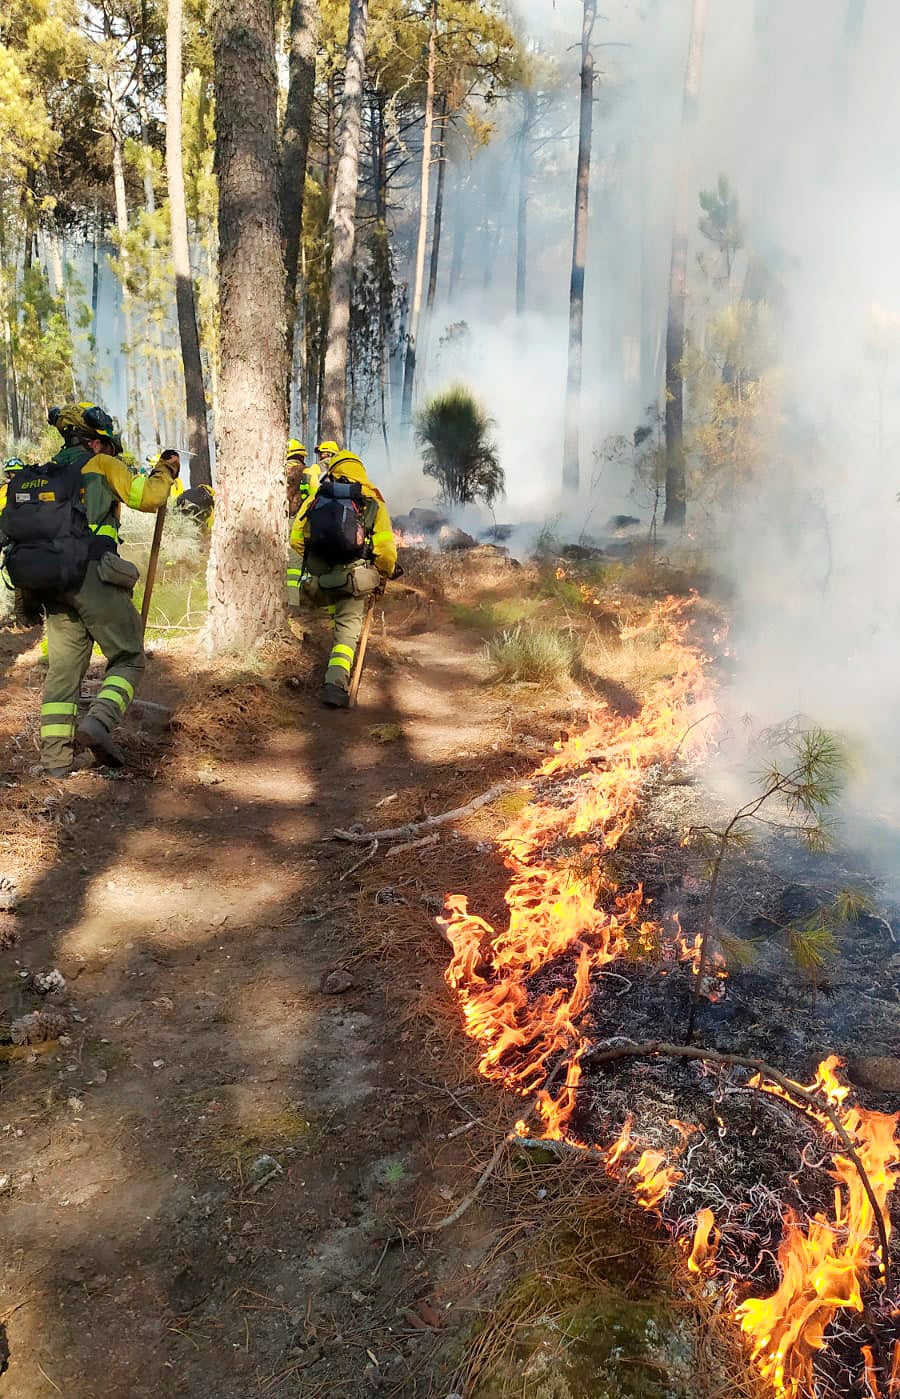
(195, 394)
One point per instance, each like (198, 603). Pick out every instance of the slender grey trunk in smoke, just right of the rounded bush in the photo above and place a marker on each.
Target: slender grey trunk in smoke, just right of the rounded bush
(572, 439)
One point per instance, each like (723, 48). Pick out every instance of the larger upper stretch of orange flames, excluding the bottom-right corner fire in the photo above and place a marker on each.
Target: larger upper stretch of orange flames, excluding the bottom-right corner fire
(556, 909)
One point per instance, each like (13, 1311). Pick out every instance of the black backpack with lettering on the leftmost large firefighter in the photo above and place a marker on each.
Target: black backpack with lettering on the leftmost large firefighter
(44, 530)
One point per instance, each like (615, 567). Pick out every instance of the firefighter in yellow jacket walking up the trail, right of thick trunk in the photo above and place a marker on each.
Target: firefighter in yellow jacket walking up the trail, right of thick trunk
(345, 537)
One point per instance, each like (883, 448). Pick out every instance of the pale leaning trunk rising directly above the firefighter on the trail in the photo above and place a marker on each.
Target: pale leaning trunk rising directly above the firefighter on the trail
(345, 230)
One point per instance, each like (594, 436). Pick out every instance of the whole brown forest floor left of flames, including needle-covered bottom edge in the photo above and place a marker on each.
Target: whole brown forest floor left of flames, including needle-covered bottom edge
(218, 1172)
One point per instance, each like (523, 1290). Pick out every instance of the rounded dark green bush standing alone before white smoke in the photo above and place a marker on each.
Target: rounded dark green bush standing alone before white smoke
(458, 451)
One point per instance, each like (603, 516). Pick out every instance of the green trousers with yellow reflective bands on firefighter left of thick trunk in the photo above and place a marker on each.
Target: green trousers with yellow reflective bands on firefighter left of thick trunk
(97, 613)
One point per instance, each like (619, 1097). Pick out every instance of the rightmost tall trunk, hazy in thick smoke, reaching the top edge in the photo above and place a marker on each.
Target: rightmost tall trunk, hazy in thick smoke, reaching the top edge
(677, 483)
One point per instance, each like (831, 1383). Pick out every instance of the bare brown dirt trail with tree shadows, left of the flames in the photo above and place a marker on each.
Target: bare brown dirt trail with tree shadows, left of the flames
(197, 918)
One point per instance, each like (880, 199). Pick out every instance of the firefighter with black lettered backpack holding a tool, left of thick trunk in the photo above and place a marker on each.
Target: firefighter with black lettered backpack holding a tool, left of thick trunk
(62, 548)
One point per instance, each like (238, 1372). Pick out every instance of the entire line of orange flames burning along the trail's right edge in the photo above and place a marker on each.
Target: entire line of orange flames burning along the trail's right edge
(565, 906)
